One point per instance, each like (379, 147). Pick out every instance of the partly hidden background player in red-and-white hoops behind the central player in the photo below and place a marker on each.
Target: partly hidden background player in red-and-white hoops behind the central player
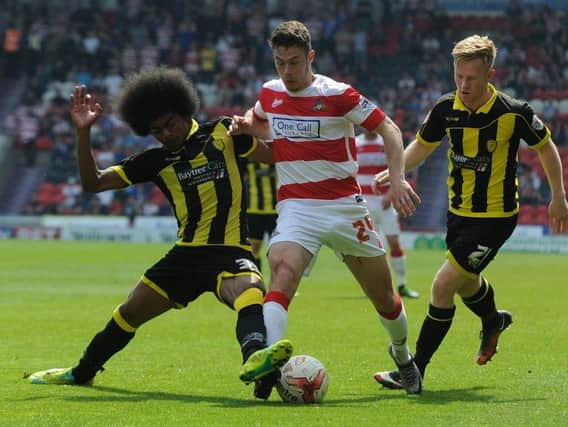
(372, 159)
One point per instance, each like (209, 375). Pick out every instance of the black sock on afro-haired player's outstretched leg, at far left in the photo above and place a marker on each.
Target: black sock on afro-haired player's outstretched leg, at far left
(102, 347)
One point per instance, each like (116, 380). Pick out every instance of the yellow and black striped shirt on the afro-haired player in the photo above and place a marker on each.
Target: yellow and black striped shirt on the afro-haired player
(203, 181)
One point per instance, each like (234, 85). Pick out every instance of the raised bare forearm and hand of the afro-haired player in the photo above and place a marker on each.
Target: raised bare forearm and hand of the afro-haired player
(85, 111)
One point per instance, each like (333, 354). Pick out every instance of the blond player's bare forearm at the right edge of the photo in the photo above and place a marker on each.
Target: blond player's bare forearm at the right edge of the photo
(558, 207)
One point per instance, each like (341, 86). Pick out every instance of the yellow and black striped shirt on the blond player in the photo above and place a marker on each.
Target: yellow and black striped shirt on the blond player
(482, 158)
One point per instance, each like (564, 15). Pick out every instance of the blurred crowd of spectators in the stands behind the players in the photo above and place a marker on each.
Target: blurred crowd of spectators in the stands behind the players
(394, 50)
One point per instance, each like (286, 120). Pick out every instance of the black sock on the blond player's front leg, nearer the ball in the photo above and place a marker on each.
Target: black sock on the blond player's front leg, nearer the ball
(434, 328)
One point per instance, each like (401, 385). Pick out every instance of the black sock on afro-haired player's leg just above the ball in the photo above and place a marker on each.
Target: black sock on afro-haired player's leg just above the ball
(251, 331)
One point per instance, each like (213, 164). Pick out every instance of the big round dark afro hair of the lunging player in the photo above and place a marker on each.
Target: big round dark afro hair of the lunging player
(151, 93)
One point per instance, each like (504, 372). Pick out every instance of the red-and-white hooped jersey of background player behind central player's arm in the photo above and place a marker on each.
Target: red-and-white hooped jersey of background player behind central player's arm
(372, 160)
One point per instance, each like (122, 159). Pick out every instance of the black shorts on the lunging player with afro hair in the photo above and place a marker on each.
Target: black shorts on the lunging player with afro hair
(186, 272)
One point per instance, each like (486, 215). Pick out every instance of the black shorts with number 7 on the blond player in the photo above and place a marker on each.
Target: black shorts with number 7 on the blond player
(473, 242)
